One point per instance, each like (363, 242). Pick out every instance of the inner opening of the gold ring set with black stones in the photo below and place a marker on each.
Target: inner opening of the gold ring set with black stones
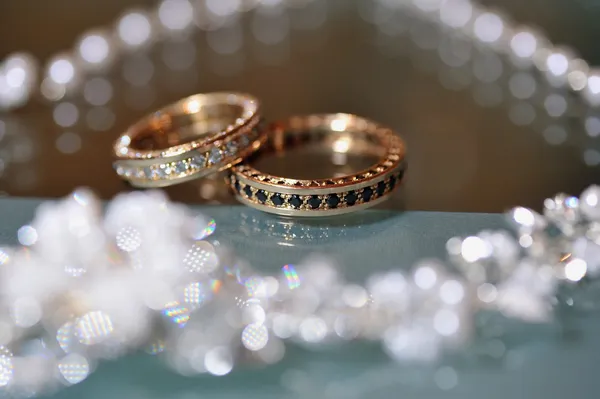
(318, 154)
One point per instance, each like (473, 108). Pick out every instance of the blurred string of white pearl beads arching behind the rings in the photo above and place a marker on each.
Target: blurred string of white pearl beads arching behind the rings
(22, 77)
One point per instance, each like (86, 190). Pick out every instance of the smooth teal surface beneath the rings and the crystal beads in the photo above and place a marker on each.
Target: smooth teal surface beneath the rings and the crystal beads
(512, 360)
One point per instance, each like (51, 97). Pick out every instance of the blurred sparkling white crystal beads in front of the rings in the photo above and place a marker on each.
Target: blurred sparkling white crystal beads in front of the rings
(84, 287)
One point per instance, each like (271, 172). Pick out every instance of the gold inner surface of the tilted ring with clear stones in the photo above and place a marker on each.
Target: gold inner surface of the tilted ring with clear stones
(165, 130)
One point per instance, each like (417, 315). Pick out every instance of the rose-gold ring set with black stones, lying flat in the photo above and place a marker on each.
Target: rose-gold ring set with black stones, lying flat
(343, 134)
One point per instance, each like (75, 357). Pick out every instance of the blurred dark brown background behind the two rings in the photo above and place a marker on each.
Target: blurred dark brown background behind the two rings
(483, 134)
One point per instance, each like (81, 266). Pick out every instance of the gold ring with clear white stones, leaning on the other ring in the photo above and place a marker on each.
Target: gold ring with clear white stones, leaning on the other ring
(192, 138)
